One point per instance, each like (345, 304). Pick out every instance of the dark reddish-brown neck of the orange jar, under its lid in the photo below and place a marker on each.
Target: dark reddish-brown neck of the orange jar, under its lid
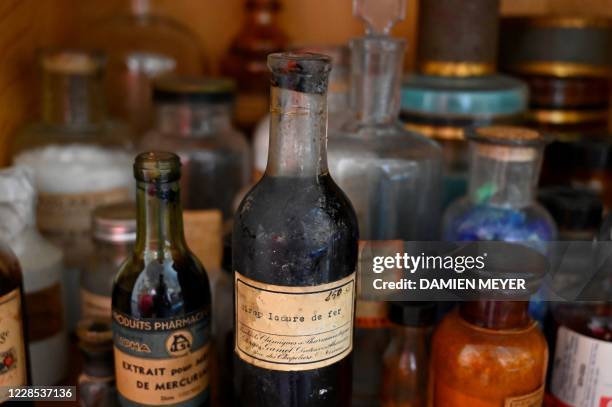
(496, 315)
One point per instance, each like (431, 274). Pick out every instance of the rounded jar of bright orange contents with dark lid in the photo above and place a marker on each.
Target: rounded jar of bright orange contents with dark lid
(489, 352)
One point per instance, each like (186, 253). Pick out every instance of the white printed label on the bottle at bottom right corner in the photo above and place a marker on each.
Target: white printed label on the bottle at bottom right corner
(582, 370)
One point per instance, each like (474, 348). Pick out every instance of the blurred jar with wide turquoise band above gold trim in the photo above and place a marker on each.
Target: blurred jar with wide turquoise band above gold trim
(444, 108)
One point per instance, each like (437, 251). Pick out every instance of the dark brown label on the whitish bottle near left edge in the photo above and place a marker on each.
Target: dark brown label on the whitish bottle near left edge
(45, 312)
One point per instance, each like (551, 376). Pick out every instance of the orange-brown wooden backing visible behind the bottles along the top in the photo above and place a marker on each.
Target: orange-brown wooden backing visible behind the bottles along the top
(26, 25)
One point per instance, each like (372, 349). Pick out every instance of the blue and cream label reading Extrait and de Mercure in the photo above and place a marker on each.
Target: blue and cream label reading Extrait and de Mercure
(162, 361)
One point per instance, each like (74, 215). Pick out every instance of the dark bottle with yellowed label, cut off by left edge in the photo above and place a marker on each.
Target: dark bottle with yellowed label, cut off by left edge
(14, 366)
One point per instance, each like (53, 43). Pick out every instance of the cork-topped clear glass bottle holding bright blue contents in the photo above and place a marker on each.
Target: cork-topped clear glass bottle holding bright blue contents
(500, 203)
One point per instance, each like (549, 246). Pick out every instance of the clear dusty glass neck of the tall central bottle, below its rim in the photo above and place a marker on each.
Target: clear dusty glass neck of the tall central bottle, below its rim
(298, 134)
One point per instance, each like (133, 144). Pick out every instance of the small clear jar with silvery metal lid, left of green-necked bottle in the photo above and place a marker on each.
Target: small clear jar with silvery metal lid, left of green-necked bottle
(114, 235)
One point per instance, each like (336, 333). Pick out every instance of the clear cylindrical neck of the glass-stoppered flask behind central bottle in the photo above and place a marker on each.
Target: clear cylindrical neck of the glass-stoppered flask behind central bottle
(376, 69)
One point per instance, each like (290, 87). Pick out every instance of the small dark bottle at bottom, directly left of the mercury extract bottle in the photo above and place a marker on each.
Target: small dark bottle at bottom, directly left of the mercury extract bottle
(97, 387)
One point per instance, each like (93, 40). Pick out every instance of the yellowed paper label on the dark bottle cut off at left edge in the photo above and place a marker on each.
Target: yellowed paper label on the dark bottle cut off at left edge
(12, 348)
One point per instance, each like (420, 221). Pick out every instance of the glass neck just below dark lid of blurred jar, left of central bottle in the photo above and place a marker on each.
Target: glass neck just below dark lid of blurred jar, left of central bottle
(192, 119)
